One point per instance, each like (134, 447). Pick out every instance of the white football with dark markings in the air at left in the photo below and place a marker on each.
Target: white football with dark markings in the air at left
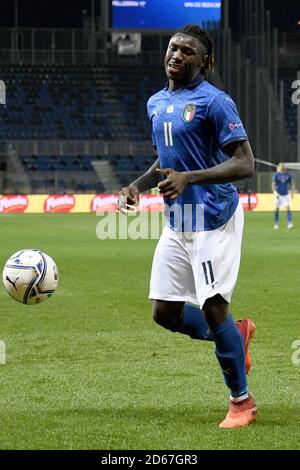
(30, 276)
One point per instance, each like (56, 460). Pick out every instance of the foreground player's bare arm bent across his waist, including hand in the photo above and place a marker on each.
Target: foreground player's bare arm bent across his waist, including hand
(240, 165)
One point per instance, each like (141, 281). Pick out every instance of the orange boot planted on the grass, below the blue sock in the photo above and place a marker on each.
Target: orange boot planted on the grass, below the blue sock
(240, 414)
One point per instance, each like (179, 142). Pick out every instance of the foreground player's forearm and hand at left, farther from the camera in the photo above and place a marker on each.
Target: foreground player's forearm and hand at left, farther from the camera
(129, 195)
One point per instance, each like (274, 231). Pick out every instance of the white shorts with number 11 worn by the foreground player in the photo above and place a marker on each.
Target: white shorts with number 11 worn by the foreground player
(193, 267)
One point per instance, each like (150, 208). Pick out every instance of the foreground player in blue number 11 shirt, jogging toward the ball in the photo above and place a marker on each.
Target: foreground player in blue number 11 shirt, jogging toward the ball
(201, 147)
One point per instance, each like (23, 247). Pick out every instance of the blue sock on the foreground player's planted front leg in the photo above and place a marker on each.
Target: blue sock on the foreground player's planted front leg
(231, 356)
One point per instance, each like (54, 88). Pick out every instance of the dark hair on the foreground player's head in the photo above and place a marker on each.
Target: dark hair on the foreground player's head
(205, 40)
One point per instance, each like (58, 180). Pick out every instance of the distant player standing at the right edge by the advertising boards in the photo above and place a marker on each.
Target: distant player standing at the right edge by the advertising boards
(281, 183)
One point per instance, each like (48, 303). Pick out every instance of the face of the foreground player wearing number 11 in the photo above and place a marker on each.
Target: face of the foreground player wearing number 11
(184, 58)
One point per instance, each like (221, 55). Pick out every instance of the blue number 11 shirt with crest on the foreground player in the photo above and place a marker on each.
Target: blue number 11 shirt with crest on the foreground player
(186, 142)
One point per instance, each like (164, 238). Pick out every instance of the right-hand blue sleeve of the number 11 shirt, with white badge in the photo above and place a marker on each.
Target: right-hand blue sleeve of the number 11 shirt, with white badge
(225, 120)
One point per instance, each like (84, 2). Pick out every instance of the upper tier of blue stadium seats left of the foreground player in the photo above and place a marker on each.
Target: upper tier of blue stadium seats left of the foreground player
(51, 102)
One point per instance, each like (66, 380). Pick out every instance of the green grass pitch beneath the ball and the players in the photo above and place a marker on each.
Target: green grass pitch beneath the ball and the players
(89, 369)
